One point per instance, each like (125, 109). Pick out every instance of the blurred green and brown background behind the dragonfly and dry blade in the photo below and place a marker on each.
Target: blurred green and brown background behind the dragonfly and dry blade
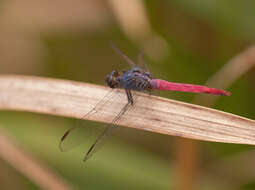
(183, 41)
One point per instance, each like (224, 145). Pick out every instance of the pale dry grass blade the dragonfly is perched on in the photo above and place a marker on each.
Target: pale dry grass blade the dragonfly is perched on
(74, 99)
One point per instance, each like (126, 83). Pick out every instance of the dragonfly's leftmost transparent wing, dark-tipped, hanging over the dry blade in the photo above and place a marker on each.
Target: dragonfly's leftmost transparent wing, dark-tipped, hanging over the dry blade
(82, 131)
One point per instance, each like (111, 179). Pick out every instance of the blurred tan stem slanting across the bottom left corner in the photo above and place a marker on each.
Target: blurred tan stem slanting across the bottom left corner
(29, 166)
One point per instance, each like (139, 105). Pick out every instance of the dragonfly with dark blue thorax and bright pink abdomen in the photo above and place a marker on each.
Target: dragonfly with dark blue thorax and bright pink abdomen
(137, 78)
